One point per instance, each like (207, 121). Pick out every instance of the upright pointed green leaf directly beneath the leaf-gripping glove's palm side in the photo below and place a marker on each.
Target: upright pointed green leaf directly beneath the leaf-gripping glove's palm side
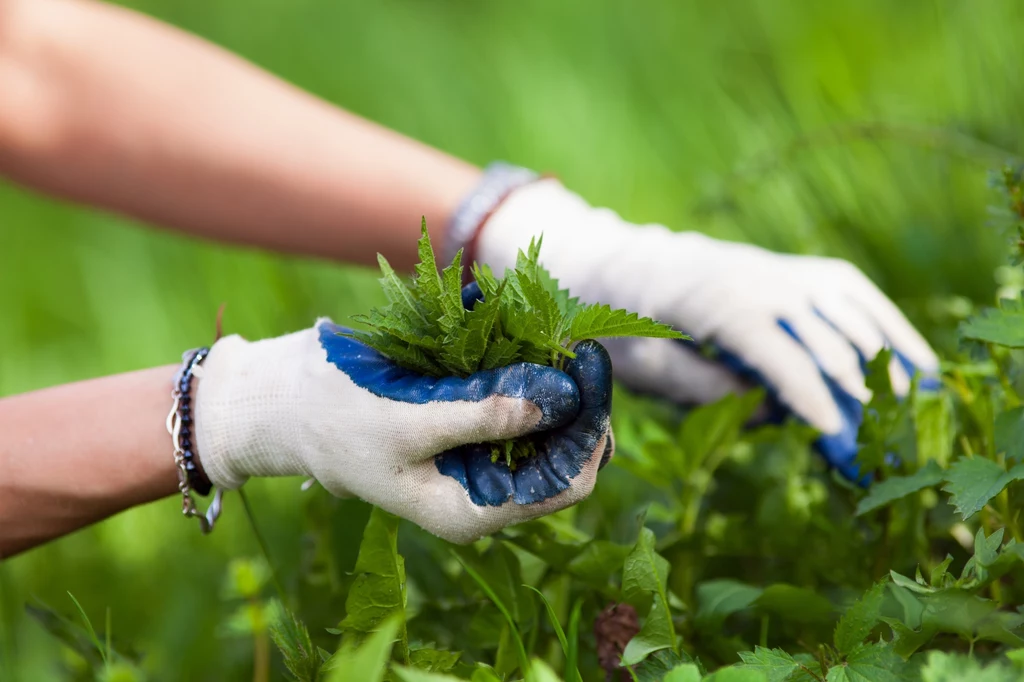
(378, 593)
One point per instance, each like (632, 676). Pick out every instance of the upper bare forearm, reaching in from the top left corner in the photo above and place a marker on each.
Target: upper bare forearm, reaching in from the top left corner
(107, 107)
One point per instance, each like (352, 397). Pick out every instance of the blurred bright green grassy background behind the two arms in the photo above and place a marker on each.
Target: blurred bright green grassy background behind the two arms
(859, 129)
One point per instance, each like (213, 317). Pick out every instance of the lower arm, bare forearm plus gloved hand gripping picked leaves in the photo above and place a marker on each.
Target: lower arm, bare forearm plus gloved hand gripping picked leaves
(311, 404)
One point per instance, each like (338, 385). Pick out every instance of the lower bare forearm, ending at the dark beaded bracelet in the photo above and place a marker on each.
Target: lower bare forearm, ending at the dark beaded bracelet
(76, 454)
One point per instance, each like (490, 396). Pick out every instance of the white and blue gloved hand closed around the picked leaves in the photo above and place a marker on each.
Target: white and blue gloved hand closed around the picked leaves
(320, 405)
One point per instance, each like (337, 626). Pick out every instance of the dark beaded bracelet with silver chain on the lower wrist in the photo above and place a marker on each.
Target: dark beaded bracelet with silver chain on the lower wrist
(180, 425)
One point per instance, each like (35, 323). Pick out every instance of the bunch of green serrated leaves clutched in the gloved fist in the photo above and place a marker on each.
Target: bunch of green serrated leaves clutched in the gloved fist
(523, 318)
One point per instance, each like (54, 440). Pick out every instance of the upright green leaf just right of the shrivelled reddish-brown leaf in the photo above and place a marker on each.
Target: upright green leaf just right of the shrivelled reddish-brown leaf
(646, 576)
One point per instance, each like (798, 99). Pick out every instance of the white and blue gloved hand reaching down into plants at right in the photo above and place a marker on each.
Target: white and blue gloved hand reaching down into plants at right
(801, 326)
